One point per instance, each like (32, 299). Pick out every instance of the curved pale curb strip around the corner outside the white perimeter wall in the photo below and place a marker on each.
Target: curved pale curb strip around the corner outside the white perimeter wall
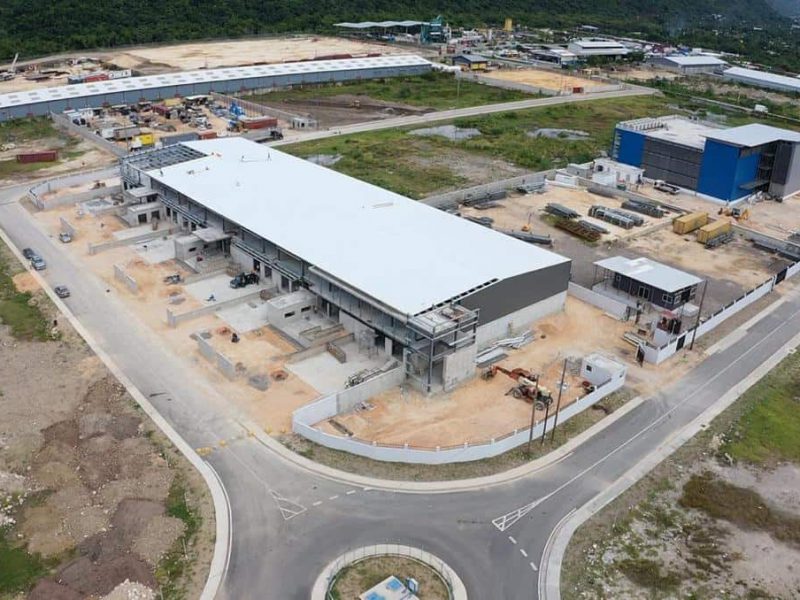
(441, 487)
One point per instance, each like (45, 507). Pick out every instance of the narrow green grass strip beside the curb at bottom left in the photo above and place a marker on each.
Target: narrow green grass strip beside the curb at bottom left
(173, 566)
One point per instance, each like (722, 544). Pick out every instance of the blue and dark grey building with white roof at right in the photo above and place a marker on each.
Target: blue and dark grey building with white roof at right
(724, 164)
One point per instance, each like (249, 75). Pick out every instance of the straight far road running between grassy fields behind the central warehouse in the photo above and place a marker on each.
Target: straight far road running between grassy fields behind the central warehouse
(448, 115)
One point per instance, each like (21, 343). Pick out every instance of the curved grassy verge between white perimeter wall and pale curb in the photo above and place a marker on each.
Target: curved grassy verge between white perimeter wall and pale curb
(412, 472)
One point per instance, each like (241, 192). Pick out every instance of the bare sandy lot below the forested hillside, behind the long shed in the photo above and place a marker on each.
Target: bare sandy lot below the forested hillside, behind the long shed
(245, 52)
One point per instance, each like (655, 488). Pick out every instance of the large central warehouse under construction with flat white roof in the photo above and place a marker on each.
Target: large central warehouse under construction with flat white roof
(428, 287)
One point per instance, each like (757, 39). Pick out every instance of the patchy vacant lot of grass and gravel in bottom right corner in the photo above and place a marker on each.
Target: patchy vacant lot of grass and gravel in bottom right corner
(686, 530)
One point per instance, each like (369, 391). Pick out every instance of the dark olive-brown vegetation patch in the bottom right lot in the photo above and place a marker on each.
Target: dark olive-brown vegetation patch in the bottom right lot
(741, 506)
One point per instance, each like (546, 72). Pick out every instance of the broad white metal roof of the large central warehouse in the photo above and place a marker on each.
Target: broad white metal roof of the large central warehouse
(403, 253)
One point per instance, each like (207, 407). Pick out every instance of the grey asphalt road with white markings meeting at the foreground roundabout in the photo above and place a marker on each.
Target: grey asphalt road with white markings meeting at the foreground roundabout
(287, 523)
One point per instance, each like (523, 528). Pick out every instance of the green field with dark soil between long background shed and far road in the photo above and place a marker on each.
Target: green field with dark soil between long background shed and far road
(440, 91)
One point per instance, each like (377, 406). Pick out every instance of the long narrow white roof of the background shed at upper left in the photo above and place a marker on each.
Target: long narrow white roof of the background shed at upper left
(97, 88)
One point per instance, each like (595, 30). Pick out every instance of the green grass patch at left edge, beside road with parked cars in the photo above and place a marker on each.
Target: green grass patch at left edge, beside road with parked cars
(18, 309)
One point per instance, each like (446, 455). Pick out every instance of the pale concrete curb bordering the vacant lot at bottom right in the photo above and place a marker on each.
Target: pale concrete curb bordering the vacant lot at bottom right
(556, 545)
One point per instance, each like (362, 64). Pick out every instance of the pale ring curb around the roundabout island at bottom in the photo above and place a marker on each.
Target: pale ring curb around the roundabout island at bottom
(320, 589)
